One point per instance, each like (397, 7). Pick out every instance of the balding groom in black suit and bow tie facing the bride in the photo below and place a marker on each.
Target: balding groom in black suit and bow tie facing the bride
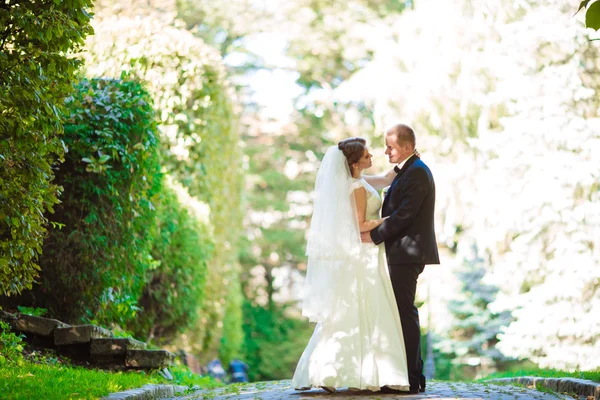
(409, 237)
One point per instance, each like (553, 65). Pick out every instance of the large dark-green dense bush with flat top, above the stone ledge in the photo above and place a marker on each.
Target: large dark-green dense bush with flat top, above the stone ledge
(94, 267)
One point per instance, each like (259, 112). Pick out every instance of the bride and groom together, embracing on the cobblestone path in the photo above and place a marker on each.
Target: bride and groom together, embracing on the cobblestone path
(363, 269)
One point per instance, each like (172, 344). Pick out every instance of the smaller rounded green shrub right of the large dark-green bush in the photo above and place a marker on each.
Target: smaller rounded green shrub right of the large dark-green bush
(182, 247)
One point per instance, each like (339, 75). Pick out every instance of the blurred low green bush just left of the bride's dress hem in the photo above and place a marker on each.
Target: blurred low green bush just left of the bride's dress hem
(273, 342)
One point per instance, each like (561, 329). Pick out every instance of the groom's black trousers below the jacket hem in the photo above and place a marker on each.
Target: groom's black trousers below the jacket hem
(404, 281)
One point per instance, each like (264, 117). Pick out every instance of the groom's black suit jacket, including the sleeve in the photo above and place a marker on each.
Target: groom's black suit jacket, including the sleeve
(409, 233)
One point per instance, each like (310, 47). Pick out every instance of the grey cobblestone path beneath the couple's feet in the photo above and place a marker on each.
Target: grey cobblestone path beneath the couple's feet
(436, 390)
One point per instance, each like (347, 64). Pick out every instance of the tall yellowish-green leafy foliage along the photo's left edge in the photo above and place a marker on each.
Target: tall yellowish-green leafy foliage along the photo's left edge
(36, 74)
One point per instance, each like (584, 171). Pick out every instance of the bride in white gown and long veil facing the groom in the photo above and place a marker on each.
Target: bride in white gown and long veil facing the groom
(357, 342)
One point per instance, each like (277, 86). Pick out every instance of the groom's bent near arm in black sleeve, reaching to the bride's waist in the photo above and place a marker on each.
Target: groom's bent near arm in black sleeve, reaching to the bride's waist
(412, 196)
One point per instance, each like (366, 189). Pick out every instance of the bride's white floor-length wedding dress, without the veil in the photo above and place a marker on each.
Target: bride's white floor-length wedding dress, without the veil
(364, 347)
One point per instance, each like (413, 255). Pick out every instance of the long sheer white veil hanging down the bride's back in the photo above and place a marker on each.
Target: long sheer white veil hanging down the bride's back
(333, 243)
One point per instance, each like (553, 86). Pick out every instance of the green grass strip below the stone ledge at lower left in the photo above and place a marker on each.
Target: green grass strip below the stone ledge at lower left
(28, 380)
